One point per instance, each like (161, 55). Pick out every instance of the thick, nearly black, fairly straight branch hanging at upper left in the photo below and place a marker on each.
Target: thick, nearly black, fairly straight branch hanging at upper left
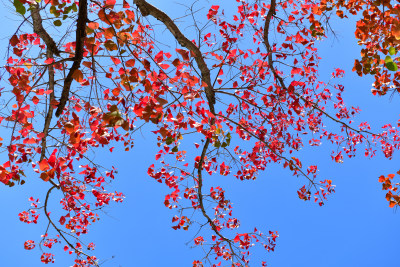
(79, 42)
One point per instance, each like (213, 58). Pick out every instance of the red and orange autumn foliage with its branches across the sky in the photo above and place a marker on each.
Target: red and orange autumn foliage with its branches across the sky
(246, 91)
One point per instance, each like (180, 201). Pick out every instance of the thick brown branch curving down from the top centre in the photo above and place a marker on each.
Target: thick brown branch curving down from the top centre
(148, 9)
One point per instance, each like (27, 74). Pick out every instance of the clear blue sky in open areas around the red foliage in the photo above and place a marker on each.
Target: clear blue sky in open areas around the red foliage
(355, 227)
